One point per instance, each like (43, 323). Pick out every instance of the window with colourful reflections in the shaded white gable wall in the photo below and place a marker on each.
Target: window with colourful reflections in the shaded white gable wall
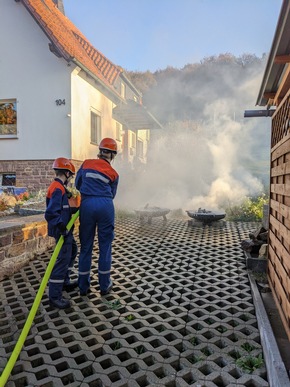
(8, 117)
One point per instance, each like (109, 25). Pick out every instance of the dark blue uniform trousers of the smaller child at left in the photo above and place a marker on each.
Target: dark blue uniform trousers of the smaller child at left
(64, 264)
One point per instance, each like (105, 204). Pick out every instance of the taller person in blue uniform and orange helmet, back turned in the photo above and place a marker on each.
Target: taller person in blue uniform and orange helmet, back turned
(97, 182)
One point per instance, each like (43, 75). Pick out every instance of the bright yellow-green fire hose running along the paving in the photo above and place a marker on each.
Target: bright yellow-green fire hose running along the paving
(17, 349)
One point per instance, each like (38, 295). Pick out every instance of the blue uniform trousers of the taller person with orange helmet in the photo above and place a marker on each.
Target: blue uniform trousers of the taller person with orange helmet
(96, 212)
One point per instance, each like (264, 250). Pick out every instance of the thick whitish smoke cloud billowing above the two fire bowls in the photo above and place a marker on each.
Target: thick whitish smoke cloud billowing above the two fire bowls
(206, 162)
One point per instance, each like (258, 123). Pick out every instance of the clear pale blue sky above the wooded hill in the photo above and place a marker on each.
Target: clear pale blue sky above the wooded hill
(141, 35)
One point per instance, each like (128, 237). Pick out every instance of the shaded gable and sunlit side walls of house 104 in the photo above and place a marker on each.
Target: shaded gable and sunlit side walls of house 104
(45, 129)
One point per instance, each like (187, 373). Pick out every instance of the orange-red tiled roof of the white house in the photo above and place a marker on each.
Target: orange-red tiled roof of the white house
(70, 42)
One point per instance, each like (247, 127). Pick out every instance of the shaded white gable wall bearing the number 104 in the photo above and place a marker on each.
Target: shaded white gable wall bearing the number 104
(34, 76)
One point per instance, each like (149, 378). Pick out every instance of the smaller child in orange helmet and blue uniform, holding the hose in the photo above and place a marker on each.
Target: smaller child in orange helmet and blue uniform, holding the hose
(57, 215)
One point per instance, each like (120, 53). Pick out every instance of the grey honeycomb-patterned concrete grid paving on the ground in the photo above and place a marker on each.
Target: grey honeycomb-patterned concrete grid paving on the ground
(181, 314)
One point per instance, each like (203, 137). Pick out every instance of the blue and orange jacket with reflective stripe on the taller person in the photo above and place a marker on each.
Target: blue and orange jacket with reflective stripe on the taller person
(96, 177)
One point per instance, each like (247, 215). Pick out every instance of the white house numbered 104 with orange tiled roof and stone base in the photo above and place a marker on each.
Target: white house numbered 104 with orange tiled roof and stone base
(55, 100)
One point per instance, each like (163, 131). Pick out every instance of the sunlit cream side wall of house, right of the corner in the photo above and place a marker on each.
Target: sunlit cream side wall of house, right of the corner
(86, 98)
